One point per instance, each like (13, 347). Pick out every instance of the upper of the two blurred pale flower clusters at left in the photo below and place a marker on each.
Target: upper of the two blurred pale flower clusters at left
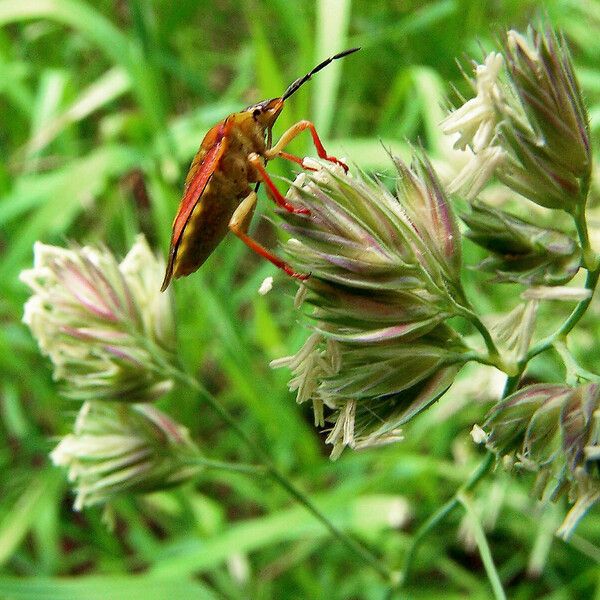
(102, 323)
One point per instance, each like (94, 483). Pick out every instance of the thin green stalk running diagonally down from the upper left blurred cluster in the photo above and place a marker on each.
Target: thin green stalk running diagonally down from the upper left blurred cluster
(358, 549)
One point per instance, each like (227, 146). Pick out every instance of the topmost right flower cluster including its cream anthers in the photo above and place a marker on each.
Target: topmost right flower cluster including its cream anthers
(527, 124)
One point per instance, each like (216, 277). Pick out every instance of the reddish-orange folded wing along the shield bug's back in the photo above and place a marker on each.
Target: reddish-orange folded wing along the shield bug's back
(201, 170)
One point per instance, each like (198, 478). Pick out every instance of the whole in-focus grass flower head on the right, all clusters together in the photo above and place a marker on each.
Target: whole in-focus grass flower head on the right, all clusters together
(385, 273)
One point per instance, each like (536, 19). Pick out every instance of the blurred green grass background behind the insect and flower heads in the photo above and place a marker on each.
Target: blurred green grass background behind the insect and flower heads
(102, 106)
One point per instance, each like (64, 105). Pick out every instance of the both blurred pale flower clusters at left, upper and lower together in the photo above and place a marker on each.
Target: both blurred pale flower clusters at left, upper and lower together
(108, 332)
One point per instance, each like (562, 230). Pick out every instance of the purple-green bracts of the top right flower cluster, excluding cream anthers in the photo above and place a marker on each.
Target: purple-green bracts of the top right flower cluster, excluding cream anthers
(549, 150)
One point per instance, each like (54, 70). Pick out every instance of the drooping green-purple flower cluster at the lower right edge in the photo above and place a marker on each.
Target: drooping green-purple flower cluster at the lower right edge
(554, 431)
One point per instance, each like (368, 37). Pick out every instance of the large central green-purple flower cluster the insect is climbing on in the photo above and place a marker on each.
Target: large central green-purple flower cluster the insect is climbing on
(384, 277)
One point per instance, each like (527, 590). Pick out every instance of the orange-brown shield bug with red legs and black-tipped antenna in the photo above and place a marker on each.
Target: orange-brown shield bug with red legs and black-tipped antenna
(218, 196)
